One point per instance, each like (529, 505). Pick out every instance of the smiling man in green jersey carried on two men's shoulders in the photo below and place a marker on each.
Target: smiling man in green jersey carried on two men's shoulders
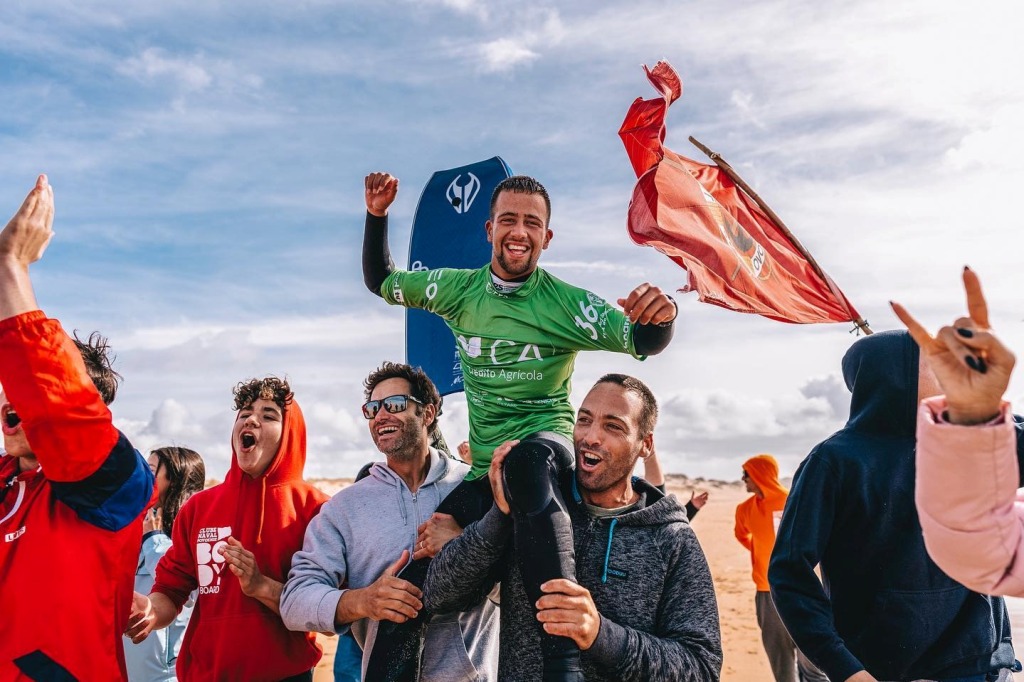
(519, 330)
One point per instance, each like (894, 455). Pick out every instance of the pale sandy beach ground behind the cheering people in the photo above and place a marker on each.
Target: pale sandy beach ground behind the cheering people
(731, 568)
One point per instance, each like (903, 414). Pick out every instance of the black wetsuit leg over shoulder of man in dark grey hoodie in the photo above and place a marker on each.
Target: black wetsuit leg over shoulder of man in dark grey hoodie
(544, 546)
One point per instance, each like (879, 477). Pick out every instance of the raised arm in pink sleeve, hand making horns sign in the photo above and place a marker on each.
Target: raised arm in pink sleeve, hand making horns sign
(969, 453)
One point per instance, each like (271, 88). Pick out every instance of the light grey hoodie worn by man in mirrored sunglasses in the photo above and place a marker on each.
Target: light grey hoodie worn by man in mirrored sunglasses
(358, 534)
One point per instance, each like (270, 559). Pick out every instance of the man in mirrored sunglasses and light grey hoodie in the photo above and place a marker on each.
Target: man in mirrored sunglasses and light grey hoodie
(346, 576)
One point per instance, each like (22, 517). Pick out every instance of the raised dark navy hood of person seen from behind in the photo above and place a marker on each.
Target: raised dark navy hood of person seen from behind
(881, 372)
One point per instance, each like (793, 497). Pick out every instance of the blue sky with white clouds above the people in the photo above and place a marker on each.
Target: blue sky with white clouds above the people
(208, 161)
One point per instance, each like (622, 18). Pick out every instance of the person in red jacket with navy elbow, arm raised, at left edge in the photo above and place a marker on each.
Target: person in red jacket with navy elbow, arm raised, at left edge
(72, 488)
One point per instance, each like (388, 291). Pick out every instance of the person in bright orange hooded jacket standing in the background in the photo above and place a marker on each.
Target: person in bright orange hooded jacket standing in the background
(757, 522)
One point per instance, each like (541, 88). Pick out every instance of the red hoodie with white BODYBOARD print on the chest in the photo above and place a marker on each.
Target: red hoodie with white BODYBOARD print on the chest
(232, 636)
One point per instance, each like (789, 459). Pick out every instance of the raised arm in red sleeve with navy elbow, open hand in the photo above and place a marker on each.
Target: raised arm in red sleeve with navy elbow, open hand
(94, 470)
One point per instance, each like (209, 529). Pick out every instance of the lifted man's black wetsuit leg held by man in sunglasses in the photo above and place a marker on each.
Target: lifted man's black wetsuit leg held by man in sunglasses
(399, 648)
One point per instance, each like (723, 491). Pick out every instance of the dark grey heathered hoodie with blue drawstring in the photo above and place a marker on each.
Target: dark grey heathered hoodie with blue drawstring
(648, 576)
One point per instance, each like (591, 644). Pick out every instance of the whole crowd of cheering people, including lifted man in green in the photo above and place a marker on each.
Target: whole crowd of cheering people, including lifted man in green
(535, 556)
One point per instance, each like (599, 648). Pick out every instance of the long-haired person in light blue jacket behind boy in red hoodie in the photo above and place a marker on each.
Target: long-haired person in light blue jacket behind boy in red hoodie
(180, 474)
